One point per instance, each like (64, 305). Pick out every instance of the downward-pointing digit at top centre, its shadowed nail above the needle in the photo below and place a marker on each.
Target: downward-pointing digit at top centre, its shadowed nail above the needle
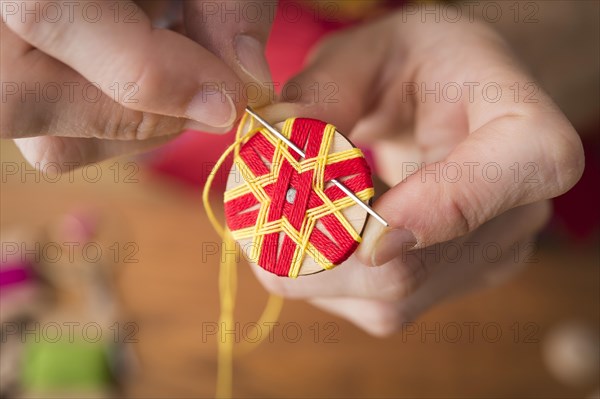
(236, 31)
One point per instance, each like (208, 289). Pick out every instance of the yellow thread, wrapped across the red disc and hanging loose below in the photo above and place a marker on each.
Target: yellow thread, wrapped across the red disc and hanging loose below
(255, 185)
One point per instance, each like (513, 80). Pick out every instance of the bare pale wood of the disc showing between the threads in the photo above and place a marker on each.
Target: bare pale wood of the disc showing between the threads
(354, 214)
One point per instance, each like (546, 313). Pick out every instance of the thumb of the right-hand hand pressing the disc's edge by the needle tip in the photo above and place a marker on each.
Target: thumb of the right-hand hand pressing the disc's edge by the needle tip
(495, 169)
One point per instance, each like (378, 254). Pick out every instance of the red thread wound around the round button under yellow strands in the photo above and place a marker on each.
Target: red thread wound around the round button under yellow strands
(278, 258)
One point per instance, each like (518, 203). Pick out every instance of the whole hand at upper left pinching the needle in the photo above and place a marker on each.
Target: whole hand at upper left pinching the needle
(83, 81)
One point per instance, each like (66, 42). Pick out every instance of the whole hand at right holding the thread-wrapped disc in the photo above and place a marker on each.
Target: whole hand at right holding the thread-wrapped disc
(493, 162)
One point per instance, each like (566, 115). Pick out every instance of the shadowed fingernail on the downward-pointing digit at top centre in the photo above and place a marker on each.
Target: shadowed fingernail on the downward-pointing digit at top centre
(251, 58)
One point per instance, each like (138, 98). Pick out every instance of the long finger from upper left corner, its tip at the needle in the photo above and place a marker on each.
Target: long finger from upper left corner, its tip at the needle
(113, 45)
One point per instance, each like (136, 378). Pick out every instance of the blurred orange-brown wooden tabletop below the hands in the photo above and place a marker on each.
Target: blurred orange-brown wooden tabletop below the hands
(171, 293)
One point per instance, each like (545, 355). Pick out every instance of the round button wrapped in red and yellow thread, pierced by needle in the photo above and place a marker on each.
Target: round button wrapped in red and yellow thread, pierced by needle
(284, 211)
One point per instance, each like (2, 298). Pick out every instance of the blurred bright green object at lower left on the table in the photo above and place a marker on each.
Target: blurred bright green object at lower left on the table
(66, 366)
